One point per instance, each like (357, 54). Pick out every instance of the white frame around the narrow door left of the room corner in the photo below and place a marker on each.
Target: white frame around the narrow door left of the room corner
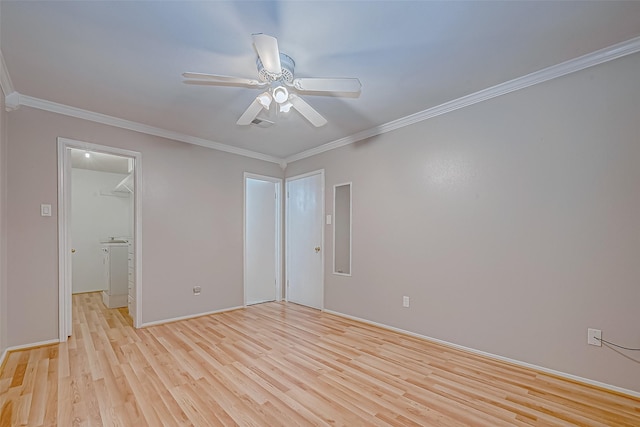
(278, 266)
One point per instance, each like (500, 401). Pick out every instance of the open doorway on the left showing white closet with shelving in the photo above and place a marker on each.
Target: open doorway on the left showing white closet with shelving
(99, 227)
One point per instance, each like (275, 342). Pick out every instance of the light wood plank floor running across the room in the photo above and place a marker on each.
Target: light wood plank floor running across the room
(279, 364)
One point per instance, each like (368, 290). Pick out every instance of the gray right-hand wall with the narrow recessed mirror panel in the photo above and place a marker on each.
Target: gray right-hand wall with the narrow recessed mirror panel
(513, 225)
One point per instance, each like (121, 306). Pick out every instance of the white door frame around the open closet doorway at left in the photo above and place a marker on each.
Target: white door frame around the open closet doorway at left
(64, 230)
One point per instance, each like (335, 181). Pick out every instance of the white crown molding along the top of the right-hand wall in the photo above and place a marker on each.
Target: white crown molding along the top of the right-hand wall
(571, 66)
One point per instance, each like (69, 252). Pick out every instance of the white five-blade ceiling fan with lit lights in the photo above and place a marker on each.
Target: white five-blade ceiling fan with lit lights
(275, 73)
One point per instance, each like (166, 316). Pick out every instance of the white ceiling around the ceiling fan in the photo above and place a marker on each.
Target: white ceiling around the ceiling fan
(125, 59)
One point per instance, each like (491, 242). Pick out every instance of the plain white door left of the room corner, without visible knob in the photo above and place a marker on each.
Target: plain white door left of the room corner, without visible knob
(261, 240)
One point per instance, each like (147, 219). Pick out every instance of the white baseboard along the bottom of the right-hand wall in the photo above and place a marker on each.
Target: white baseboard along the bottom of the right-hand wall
(493, 356)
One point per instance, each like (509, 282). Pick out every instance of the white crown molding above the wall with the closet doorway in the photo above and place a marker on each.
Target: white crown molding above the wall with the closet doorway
(79, 113)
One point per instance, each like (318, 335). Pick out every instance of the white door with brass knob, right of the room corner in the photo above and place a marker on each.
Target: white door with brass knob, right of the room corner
(305, 209)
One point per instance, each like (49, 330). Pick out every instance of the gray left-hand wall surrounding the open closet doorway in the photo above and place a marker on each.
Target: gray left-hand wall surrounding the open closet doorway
(192, 204)
